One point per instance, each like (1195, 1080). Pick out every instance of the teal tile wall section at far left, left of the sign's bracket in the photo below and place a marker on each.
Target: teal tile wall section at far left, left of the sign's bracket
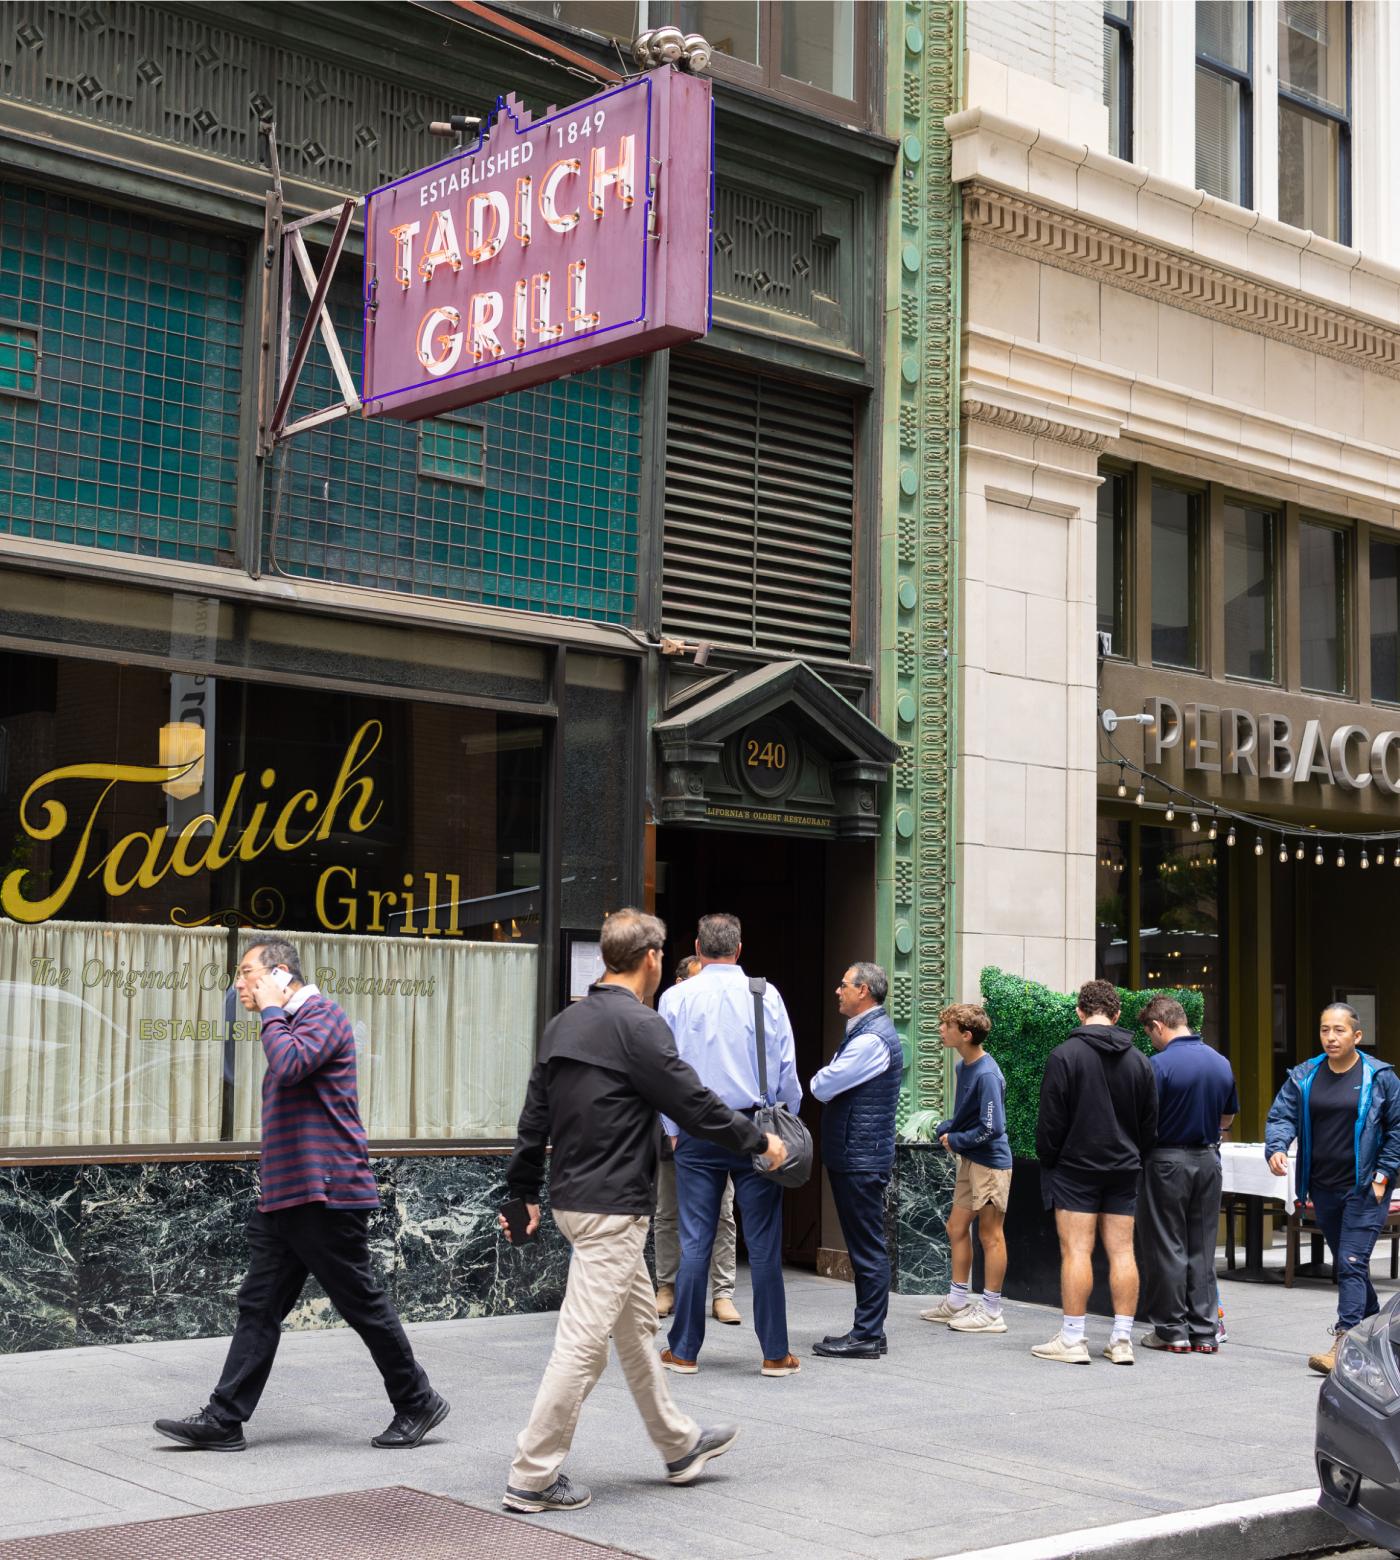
(132, 442)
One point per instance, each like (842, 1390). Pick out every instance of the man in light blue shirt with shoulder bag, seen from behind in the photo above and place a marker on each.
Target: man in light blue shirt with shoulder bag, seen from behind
(712, 1018)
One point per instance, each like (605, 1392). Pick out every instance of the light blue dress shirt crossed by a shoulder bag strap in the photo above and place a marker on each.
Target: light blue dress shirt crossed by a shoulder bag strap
(712, 1018)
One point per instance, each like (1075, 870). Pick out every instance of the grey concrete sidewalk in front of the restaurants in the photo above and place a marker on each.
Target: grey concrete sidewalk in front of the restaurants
(951, 1444)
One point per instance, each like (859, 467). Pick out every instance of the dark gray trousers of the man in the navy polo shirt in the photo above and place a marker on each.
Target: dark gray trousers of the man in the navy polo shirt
(1178, 1219)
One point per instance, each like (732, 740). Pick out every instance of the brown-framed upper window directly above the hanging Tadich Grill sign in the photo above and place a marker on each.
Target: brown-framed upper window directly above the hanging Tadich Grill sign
(812, 51)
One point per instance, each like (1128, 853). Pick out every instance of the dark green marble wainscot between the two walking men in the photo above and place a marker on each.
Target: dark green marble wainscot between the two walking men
(452, 1257)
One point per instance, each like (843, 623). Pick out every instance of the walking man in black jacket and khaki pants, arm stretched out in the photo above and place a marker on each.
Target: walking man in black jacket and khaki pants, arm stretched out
(608, 1069)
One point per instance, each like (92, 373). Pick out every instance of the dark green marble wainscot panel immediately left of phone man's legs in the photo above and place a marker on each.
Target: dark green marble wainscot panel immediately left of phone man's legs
(162, 1250)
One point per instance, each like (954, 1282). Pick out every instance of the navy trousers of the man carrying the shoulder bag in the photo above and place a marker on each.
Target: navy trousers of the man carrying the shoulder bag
(702, 1172)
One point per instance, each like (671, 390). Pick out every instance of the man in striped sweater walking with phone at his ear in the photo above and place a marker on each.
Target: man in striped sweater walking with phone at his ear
(318, 1193)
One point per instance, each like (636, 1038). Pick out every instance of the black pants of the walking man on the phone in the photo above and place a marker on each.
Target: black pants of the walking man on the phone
(332, 1244)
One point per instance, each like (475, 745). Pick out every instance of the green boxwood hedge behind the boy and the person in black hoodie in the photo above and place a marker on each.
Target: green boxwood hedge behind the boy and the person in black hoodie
(1029, 1021)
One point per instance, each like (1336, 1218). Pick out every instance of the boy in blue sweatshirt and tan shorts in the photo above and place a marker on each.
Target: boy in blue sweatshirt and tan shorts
(978, 1136)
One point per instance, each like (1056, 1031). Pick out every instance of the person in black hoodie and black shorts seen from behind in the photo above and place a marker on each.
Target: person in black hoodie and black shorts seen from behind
(1098, 1121)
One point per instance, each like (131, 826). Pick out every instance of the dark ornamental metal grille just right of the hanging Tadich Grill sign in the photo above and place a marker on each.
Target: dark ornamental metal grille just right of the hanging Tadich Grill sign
(772, 253)
